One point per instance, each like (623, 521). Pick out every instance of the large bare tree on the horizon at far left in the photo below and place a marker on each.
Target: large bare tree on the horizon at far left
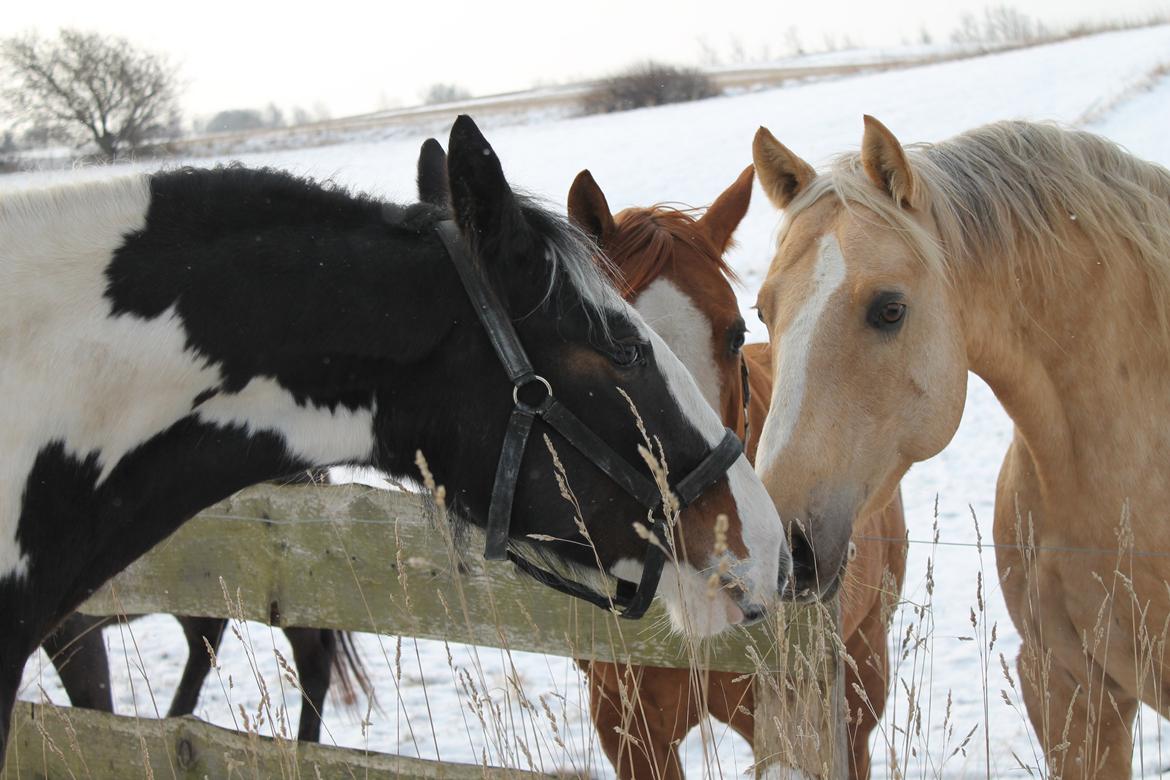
(91, 87)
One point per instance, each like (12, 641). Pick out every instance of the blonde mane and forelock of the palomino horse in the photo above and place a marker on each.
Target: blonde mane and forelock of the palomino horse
(1031, 196)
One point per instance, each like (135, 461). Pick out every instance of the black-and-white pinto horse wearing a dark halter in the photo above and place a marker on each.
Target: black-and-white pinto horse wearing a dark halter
(169, 340)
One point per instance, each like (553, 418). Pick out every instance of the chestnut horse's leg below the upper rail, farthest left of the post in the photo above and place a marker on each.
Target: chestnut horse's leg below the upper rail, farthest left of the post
(642, 736)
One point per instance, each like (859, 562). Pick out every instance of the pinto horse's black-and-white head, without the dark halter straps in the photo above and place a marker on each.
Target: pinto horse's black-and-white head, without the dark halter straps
(603, 364)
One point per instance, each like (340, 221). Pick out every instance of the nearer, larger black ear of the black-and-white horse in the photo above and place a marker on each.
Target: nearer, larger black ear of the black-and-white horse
(481, 201)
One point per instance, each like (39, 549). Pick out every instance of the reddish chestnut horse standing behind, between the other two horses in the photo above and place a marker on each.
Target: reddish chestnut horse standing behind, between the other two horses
(670, 265)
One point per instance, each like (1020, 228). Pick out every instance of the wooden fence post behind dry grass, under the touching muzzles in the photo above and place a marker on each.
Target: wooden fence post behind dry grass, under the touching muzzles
(801, 728)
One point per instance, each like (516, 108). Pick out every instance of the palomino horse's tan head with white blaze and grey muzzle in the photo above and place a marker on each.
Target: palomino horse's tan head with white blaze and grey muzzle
(871, 370)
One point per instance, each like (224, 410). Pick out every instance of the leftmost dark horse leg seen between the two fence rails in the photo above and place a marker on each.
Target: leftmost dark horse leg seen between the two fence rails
(78, 651)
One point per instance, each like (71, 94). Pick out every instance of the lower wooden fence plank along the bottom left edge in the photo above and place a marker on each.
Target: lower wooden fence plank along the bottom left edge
(51, 742)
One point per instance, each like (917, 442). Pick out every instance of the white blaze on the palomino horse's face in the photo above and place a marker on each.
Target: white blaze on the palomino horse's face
(795, 350)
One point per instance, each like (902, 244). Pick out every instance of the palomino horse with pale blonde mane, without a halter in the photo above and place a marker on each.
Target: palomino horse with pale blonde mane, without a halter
(901, 270)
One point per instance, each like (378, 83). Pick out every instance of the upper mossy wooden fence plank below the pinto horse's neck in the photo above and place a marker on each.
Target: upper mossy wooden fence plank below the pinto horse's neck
(354, 558)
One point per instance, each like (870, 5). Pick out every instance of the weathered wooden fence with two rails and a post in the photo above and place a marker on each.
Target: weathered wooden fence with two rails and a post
(354, 558)
